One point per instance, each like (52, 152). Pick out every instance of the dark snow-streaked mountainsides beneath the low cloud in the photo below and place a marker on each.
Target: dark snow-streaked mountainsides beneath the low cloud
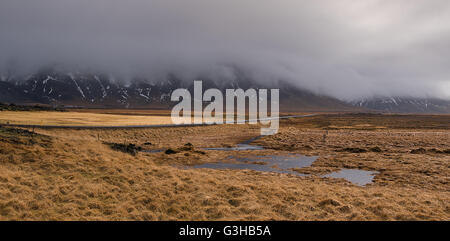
(103, 91)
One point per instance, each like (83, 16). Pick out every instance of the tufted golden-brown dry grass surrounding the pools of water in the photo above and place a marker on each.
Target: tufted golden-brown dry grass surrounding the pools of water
(71, 175)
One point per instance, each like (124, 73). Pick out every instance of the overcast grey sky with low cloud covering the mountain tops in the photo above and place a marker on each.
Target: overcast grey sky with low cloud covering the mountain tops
(344, 48)
